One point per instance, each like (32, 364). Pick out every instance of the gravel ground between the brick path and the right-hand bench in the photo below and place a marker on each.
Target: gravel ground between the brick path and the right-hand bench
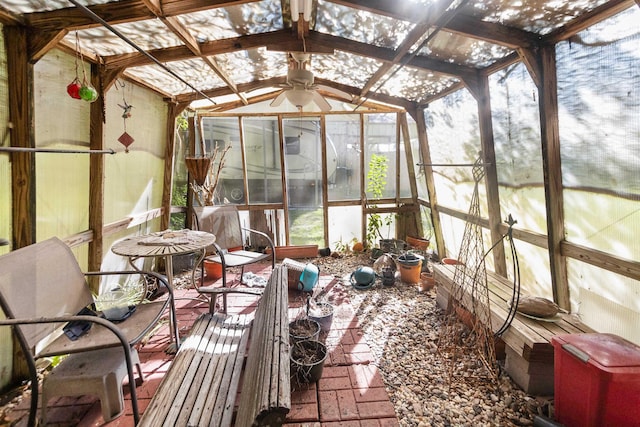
(402, 327)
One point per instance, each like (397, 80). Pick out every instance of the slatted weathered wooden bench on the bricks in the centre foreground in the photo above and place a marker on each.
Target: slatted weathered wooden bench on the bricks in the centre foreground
(201, 385)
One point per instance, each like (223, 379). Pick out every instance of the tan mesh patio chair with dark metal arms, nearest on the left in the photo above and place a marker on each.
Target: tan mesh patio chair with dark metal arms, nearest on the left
(42, 288)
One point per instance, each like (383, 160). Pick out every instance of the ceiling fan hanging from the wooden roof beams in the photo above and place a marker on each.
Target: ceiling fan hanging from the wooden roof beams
(299, 88)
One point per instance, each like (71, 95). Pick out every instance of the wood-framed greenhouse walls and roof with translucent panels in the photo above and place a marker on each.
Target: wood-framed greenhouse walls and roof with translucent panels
(527, 111)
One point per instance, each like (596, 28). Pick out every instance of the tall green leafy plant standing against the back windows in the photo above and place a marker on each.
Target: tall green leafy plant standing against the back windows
(376, 182)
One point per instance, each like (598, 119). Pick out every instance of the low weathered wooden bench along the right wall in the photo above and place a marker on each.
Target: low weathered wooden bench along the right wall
(528, 349)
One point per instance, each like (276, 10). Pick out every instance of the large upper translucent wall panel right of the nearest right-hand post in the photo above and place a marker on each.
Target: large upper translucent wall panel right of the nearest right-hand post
(599, 115)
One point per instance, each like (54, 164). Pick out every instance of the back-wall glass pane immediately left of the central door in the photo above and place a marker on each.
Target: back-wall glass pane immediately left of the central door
(262, 152)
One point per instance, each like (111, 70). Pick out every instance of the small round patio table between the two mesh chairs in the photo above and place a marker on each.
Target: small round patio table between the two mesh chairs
(165, 244)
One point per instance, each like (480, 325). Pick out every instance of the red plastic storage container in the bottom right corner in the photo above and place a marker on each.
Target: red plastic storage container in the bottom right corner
(596, 380)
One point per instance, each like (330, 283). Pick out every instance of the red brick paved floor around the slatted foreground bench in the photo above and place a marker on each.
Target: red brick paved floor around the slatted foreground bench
(350, 392)
